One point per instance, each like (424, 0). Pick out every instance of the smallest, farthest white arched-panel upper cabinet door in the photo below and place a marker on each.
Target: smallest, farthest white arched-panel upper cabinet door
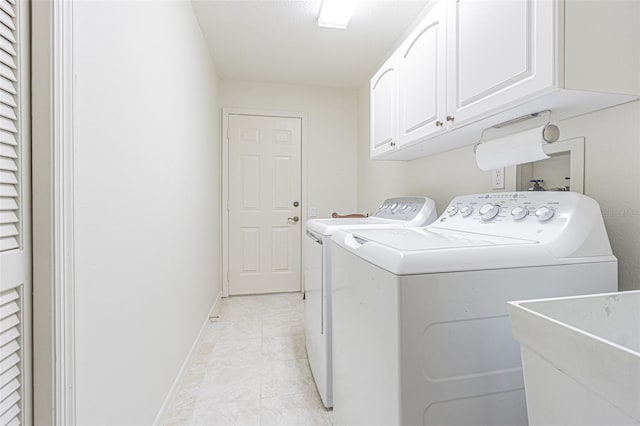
(384, 101)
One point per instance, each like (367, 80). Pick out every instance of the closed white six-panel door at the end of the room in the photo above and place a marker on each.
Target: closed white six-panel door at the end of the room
(264, 194)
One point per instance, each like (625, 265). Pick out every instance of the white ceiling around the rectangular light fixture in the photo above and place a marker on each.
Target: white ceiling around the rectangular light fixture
(280, 41)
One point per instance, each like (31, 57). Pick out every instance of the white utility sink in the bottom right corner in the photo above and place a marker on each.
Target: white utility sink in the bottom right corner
(580, 358)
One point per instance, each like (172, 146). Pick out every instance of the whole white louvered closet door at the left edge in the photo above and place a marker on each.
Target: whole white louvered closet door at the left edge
(15, 222)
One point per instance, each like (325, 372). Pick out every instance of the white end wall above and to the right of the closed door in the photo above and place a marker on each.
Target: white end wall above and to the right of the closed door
(329, 148)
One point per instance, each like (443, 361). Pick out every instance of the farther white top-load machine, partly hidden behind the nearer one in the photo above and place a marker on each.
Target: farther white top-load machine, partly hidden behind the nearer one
(393, 213)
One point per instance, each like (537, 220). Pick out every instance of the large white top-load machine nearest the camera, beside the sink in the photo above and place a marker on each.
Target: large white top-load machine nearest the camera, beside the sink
(421, 333)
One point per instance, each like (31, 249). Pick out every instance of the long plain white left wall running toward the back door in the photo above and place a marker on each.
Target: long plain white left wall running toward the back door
(147, 181)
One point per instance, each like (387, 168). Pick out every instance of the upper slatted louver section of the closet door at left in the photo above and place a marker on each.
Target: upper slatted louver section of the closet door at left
(9, 148)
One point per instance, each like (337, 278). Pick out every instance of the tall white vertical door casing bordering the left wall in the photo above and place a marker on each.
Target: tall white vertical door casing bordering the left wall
(63, 214)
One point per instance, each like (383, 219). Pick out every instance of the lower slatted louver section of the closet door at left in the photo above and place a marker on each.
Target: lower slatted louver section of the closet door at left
(10, 357)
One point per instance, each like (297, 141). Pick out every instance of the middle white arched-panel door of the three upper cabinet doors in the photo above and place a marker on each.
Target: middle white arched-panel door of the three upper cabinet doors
(421, 82)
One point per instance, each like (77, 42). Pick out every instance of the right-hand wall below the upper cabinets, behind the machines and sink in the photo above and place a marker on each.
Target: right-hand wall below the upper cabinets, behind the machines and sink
(612, 176)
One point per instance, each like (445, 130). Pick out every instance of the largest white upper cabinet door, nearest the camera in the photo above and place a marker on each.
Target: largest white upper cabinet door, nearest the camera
(499, 52)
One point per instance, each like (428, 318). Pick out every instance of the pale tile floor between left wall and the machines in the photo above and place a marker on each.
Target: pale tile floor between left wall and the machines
(251, 368)
